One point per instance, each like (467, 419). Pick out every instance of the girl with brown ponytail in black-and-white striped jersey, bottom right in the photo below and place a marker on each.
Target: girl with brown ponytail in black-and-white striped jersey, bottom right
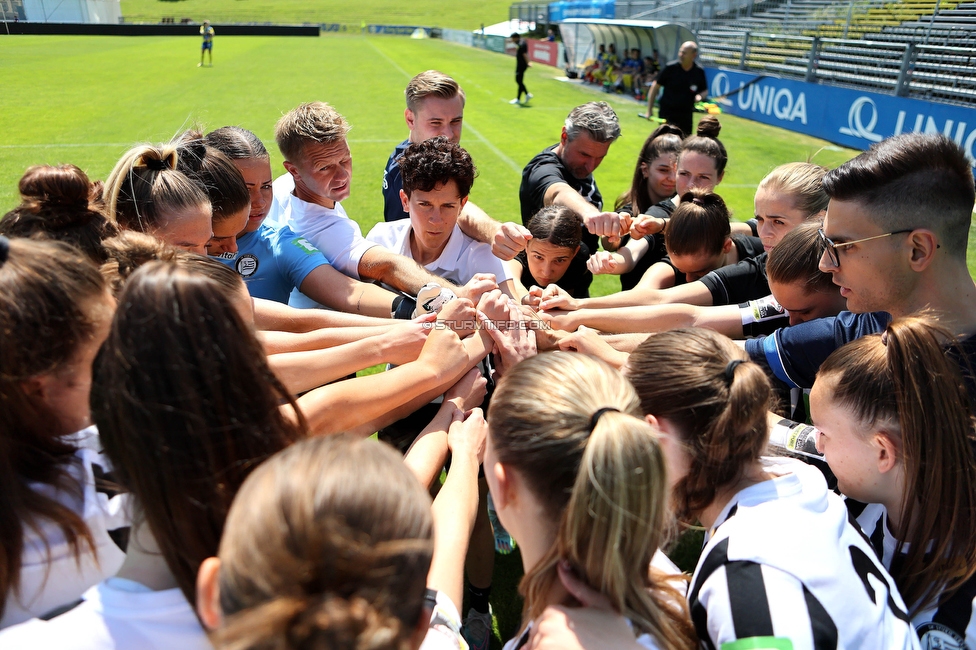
(783, 566)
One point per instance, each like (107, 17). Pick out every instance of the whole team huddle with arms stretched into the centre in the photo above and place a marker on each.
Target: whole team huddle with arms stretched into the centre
(185, 452)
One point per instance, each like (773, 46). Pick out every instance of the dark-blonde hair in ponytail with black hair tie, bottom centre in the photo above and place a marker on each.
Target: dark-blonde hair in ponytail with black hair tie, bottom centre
(571, 427)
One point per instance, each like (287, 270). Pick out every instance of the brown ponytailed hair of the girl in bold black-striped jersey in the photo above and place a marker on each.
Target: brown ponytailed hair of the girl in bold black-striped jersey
(690, 378)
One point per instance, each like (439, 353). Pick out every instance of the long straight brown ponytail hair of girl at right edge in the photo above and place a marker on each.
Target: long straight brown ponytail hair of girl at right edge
(902, 379)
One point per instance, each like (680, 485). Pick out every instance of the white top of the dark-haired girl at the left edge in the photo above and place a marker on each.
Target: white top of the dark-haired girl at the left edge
(50, 575)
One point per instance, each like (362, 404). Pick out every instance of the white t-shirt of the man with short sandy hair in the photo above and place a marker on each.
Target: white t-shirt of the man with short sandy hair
(330, 230)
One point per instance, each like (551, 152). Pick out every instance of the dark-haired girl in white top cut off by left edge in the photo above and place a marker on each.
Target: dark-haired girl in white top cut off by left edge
(54, 522)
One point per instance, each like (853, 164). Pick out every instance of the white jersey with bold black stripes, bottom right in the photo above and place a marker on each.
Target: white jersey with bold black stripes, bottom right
(785, 568)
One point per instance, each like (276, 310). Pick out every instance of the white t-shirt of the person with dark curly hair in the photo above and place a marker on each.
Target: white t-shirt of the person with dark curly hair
(461, 258)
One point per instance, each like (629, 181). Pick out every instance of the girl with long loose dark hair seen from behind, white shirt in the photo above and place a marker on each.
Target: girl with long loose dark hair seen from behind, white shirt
(186, 408)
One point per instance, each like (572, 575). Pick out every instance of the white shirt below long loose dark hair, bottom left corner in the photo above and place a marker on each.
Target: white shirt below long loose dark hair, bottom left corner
(115, 615)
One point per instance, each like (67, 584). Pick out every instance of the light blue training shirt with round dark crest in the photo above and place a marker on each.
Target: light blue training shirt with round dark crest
(273, 260)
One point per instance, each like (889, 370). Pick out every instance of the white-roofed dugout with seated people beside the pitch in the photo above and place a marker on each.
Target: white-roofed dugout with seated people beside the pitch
(582, 36)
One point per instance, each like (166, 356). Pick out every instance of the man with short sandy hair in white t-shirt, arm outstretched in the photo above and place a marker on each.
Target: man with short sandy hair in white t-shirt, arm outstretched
(312, 139)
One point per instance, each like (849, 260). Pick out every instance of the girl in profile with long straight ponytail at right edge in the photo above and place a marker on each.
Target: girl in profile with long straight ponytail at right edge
(895, 427)
